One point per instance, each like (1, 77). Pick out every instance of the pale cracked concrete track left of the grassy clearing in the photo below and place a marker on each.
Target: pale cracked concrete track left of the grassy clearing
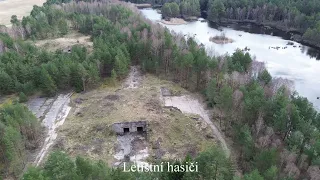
(53, 112)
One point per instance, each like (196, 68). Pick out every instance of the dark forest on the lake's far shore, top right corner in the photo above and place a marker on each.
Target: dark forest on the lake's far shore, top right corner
(298, 15)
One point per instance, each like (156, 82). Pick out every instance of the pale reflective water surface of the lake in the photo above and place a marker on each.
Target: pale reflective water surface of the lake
(298, 64)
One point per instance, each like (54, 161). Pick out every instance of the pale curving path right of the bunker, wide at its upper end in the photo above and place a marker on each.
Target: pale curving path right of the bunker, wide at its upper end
(188, 104)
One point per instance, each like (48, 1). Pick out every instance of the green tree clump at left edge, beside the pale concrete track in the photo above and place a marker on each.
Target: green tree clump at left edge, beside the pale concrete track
(20, 132)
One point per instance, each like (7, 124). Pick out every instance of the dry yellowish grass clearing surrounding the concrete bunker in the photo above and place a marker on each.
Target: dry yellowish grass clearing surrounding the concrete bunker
(87, 129)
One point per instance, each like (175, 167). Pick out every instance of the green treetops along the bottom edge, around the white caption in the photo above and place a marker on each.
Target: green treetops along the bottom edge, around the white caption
(59, 166)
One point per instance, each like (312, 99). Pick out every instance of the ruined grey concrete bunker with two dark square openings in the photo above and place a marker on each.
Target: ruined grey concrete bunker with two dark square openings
(130, 127)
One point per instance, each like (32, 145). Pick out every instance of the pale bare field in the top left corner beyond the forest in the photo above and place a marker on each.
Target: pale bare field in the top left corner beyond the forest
(16, 7)
